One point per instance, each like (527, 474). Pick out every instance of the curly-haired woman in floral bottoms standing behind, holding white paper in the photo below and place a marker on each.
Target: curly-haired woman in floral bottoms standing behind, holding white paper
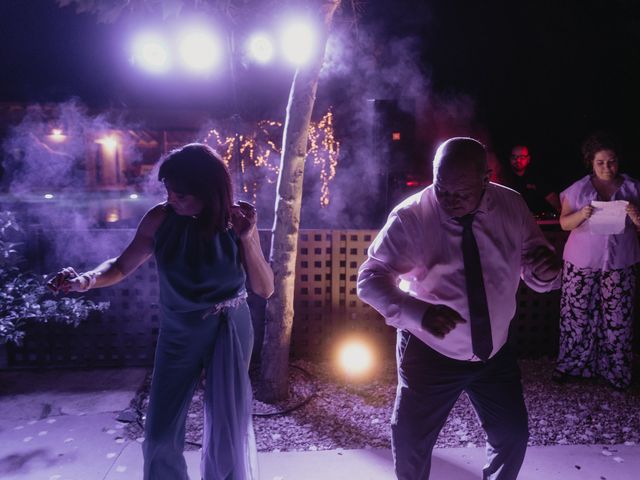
(599, 274)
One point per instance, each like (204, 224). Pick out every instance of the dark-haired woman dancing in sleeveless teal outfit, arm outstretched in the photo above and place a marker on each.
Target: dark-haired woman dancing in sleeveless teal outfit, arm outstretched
(205, 248)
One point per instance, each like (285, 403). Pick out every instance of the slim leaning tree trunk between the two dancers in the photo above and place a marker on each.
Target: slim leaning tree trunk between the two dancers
(284, 239)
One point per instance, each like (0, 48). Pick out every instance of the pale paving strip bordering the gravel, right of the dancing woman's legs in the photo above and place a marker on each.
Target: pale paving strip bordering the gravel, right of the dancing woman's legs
(542, 463)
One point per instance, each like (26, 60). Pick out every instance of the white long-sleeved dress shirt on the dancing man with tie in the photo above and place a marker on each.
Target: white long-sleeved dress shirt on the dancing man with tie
(417, 258)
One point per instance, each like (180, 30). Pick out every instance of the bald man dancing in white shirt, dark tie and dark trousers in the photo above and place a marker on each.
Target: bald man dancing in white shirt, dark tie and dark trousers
(444, 271)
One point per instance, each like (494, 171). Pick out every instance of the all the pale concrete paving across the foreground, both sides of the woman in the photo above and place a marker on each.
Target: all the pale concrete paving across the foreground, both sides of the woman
(60, 425)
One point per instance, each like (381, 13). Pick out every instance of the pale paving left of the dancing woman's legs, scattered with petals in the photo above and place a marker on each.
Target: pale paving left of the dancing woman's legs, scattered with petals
(61, 424)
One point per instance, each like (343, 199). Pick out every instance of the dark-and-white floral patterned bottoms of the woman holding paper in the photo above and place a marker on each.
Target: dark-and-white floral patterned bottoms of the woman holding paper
(596, 323)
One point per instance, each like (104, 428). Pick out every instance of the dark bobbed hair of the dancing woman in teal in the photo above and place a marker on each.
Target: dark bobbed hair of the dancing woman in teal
(196, 169)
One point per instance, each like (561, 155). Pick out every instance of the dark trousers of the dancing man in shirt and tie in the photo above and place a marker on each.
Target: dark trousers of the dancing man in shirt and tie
(429, 385)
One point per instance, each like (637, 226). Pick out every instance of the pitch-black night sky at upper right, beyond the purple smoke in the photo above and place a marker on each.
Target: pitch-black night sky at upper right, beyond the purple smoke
(543, 72)
